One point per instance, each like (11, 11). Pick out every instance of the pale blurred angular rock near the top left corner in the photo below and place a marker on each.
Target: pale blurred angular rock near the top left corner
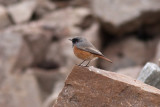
(22, 12)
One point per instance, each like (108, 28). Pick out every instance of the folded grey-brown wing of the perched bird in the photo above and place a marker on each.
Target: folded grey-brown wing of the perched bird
(90, 48)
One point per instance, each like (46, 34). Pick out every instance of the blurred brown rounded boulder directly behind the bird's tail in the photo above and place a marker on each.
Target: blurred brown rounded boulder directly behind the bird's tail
(124, 53)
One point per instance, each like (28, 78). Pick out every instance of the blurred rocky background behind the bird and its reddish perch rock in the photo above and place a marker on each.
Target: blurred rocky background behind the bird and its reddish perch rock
(36, 55)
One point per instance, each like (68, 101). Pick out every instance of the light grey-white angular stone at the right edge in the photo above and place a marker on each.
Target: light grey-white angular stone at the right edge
(150, 75)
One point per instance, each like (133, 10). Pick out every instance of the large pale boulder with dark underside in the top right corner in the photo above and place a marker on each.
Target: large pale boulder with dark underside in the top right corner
(117, 16)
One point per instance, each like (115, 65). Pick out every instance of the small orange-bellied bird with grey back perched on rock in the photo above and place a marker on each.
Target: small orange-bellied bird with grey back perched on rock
(85, 50)
